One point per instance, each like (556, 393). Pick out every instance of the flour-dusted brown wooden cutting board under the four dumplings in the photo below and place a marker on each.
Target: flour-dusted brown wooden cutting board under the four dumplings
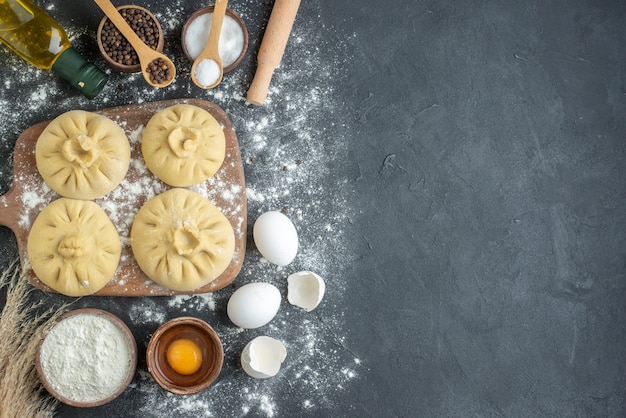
(29, 194)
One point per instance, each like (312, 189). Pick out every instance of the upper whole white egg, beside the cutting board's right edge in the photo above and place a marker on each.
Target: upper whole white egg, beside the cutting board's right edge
(276, 238)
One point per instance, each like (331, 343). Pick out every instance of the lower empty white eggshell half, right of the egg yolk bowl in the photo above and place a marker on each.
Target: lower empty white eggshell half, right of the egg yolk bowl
(262, 357)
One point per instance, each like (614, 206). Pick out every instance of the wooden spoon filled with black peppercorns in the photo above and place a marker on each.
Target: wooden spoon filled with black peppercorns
(157, 69)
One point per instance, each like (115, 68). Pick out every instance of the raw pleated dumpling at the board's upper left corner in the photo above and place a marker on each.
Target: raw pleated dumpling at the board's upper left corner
(82, 155)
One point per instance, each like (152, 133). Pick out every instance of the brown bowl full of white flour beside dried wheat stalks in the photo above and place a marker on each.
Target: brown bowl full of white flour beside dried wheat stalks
(88, 358)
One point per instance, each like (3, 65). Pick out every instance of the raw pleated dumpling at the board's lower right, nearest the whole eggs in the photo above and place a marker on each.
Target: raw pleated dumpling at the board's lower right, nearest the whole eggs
(181, 240)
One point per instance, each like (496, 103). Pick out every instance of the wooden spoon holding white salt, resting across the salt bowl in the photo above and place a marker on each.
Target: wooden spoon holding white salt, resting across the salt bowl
(207, 71)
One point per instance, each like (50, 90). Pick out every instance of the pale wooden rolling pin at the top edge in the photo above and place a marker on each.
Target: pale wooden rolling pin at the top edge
(272, 48)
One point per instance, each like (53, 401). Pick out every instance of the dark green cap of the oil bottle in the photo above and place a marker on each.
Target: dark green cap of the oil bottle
(83, 75)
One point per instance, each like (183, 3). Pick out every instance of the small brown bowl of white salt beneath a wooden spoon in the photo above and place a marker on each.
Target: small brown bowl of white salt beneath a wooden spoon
(233, 40)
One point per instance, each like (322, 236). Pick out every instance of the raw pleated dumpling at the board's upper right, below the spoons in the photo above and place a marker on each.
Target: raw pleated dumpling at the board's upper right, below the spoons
(183, 145)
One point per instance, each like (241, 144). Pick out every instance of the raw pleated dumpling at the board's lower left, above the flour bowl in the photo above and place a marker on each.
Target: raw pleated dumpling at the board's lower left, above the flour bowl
(73, 247)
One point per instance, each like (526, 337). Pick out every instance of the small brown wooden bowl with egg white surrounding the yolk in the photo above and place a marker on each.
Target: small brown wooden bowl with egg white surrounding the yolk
(207, 340)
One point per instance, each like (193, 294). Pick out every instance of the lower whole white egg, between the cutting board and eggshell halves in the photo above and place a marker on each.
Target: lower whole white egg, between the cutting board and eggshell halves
(253, 305)
